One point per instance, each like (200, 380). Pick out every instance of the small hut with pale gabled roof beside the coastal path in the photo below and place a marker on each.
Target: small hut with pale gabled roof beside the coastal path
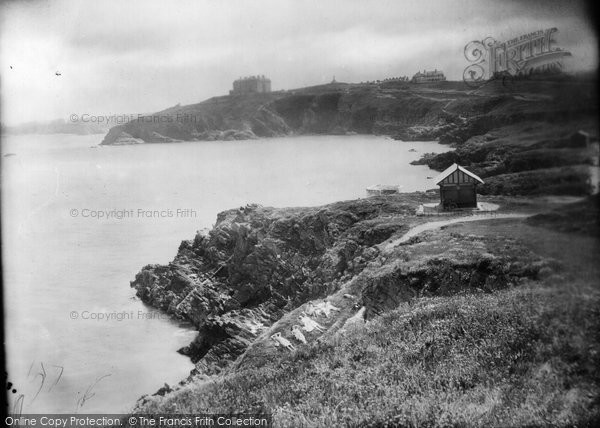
(458, 187)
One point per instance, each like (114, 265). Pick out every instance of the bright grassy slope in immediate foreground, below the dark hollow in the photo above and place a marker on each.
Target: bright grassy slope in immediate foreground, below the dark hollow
(526, 355)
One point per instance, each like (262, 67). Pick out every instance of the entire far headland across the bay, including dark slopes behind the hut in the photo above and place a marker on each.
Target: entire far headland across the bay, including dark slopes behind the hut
(515, 135)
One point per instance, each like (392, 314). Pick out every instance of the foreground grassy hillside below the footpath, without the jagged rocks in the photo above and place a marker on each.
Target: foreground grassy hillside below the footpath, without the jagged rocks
(493, 322)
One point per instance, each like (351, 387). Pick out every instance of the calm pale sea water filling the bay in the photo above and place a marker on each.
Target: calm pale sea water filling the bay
(79, 222)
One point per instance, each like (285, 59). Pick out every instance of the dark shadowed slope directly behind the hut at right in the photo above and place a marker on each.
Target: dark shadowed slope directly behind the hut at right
(526, 158)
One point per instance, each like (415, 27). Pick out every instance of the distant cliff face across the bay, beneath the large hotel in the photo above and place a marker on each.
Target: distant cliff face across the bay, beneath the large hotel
(327, 109)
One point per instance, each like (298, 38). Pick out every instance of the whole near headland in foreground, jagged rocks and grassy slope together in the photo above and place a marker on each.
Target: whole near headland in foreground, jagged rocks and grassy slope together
(487, 323)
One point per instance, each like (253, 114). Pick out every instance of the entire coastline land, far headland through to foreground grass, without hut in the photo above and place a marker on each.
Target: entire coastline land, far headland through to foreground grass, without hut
(492, 309)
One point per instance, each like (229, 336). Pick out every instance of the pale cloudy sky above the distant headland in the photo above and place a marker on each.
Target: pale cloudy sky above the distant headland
(129, 57)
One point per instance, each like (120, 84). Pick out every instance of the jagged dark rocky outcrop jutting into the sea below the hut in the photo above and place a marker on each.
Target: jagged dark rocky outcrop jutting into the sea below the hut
(257, 264)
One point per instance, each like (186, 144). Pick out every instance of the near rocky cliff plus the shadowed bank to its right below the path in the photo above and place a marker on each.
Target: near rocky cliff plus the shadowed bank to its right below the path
(259, 267)
